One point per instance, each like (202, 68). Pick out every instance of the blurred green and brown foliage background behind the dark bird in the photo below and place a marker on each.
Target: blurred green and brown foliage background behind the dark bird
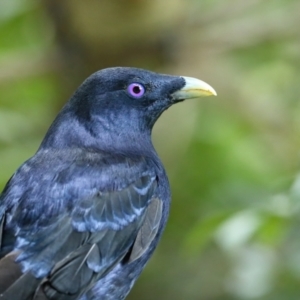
(233, 160)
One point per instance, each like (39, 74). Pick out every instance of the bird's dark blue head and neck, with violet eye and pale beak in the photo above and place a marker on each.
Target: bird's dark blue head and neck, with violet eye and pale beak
(121, 104)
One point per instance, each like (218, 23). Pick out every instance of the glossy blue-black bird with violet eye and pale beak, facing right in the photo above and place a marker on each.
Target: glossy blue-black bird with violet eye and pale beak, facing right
(82, 216)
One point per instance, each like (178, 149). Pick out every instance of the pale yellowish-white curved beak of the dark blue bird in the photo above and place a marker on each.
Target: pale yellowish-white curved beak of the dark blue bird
(193, 88)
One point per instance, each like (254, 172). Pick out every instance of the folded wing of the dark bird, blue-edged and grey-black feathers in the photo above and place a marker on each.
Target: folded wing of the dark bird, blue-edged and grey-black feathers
(63, 257)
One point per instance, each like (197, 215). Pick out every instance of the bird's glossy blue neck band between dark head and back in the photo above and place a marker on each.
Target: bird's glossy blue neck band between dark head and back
(111, 135)
